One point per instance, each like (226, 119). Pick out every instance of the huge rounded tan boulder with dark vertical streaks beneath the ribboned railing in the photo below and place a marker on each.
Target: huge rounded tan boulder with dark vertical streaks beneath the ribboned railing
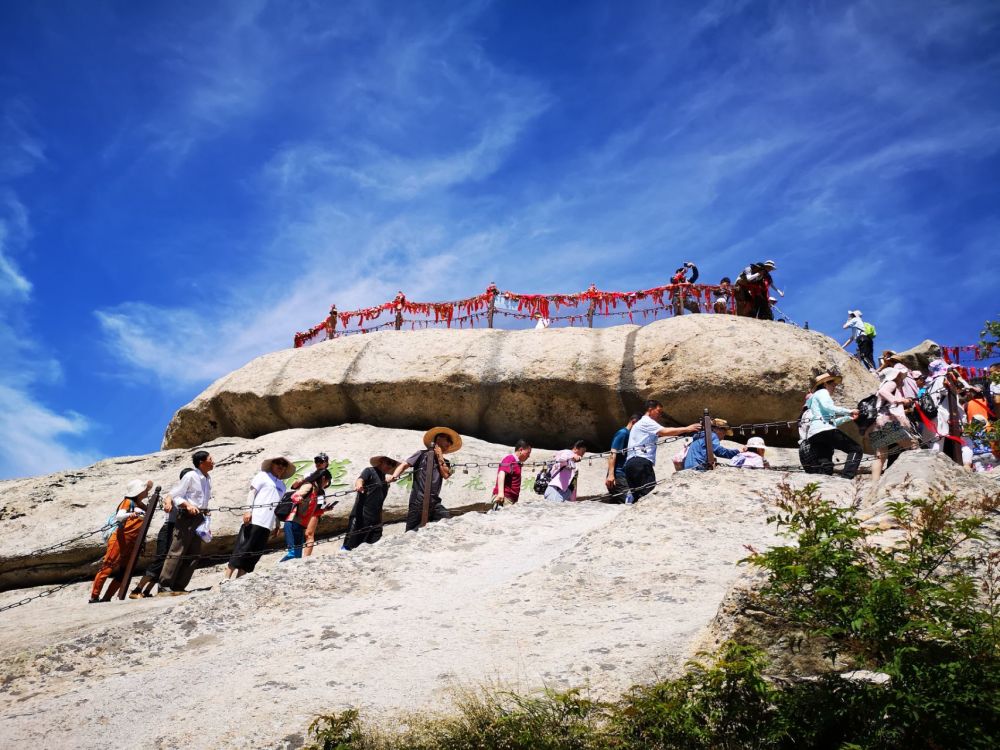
(549, 386)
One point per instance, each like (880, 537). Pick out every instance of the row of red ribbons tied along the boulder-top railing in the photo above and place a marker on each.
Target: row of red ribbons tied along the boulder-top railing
(515, 305)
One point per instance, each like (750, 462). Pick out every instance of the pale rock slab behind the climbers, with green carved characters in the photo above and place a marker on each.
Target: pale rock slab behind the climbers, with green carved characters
(41, 511)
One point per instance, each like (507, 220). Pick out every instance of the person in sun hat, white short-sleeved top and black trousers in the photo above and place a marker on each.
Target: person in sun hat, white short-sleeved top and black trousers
(266, 491)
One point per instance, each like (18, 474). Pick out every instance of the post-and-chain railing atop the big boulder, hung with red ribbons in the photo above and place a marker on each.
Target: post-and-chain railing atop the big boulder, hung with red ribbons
(666, 300)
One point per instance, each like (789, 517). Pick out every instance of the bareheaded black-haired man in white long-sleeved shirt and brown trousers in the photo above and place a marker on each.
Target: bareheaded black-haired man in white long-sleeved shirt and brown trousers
(191, 498)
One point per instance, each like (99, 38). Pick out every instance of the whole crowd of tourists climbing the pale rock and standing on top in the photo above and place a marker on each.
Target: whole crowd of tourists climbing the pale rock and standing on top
(931, 409)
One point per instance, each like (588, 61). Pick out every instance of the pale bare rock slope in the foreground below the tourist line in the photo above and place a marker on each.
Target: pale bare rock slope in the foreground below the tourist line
(538, 594)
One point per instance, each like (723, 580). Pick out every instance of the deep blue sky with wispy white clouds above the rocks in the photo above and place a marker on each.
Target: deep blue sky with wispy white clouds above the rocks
(183, 185)
